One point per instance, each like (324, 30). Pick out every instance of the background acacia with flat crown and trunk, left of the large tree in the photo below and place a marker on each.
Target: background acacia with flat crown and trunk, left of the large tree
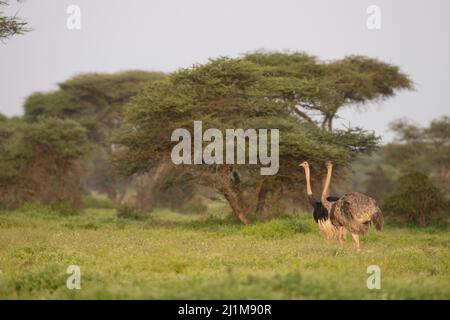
(95, 101)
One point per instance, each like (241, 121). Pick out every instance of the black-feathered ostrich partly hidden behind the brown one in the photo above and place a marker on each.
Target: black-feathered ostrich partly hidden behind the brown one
(320, 213)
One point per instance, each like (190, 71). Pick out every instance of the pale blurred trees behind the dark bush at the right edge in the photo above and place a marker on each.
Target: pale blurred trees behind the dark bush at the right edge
(426, 149)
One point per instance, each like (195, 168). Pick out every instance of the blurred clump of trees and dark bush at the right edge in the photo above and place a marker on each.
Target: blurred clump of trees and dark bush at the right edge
(411, 175)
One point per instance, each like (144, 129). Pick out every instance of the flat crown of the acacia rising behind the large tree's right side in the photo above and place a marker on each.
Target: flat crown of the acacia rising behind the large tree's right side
(317, 91)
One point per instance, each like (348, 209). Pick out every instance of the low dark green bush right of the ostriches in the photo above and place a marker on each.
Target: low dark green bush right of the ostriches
(416, 197)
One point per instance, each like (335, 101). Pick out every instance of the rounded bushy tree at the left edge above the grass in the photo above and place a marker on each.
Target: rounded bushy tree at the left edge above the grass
(39, 161)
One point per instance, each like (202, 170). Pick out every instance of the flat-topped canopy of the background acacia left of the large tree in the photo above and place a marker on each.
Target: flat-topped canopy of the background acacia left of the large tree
(94, 99)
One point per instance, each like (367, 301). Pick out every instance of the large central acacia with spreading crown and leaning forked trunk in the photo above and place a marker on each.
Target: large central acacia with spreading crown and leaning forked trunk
(230, 93)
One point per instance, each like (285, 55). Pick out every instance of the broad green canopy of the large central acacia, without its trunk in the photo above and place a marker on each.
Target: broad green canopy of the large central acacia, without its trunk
(225, 93)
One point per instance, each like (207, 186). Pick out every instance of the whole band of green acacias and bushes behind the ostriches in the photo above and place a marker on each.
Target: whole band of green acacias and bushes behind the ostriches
(109, 133)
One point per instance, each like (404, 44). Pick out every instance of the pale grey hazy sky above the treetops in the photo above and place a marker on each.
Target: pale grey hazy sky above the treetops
(165, 35)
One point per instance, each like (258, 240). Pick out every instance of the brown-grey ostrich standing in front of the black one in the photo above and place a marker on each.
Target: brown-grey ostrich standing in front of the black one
(353, 211)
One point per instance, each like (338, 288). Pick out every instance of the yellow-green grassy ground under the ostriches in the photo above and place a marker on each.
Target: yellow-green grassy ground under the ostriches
(173, 256)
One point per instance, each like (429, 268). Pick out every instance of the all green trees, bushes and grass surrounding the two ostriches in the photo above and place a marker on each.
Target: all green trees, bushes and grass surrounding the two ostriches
(86, 179)
